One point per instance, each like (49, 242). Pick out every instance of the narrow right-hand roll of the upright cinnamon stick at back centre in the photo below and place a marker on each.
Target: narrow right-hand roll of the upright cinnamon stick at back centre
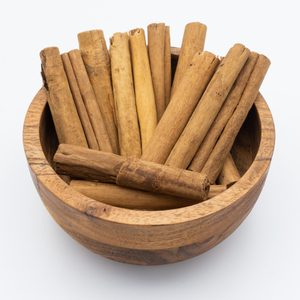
(167, 65)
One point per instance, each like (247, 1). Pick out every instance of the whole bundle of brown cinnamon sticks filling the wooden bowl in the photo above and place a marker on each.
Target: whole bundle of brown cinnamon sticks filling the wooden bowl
(133, 135)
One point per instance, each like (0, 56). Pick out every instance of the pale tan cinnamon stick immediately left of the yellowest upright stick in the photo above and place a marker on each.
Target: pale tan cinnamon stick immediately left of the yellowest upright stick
(128, 127)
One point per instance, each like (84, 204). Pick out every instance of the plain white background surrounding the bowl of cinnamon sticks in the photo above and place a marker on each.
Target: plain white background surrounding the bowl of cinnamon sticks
(260, 260)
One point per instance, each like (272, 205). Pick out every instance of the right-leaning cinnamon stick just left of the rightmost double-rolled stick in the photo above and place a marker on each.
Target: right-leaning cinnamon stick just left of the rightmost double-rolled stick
(208, 107)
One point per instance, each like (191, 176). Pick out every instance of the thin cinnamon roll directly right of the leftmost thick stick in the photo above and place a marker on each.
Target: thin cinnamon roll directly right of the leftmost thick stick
(84, 118)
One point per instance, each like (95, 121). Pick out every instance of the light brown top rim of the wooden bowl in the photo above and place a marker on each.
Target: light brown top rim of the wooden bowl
(42, 173)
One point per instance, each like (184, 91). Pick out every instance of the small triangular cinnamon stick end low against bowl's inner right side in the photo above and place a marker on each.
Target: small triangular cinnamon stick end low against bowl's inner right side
(229, 173)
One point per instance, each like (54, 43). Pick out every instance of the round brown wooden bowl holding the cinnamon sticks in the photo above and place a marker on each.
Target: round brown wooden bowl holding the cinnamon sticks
(149, 237)
